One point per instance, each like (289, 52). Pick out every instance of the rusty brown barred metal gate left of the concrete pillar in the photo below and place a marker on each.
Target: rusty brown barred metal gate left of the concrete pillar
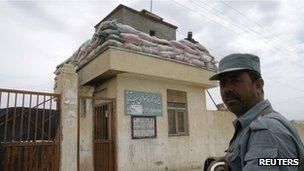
(29, 130)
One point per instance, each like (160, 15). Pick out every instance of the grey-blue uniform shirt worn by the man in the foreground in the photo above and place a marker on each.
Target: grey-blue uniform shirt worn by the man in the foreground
(263, 133)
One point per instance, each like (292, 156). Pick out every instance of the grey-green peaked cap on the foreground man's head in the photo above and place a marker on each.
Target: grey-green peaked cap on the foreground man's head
(236, 62)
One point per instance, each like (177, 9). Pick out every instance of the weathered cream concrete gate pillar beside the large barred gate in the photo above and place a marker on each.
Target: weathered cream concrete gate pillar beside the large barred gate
(67, 85)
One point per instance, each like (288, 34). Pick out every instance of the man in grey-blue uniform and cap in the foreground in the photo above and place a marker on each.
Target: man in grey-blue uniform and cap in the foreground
(260, 132)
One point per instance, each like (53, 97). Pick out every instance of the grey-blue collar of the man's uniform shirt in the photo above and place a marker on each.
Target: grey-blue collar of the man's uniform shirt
(251, 114)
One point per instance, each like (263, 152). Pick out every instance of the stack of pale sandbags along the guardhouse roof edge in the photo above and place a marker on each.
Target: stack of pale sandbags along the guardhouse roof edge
(111, 33)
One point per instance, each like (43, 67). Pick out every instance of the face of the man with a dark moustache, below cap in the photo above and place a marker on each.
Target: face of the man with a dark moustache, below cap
(238, 92)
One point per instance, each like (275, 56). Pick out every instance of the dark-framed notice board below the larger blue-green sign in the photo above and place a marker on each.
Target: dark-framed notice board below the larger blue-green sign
(143, 127)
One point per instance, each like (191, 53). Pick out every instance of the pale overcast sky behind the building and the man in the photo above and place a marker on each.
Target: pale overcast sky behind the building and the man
(36, 36)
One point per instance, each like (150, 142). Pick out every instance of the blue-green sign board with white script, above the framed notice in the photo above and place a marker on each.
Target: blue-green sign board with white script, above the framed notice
(143, 103)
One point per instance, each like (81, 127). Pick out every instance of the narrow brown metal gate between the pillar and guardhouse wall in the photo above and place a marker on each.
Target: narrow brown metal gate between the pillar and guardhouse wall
(103, 133)
